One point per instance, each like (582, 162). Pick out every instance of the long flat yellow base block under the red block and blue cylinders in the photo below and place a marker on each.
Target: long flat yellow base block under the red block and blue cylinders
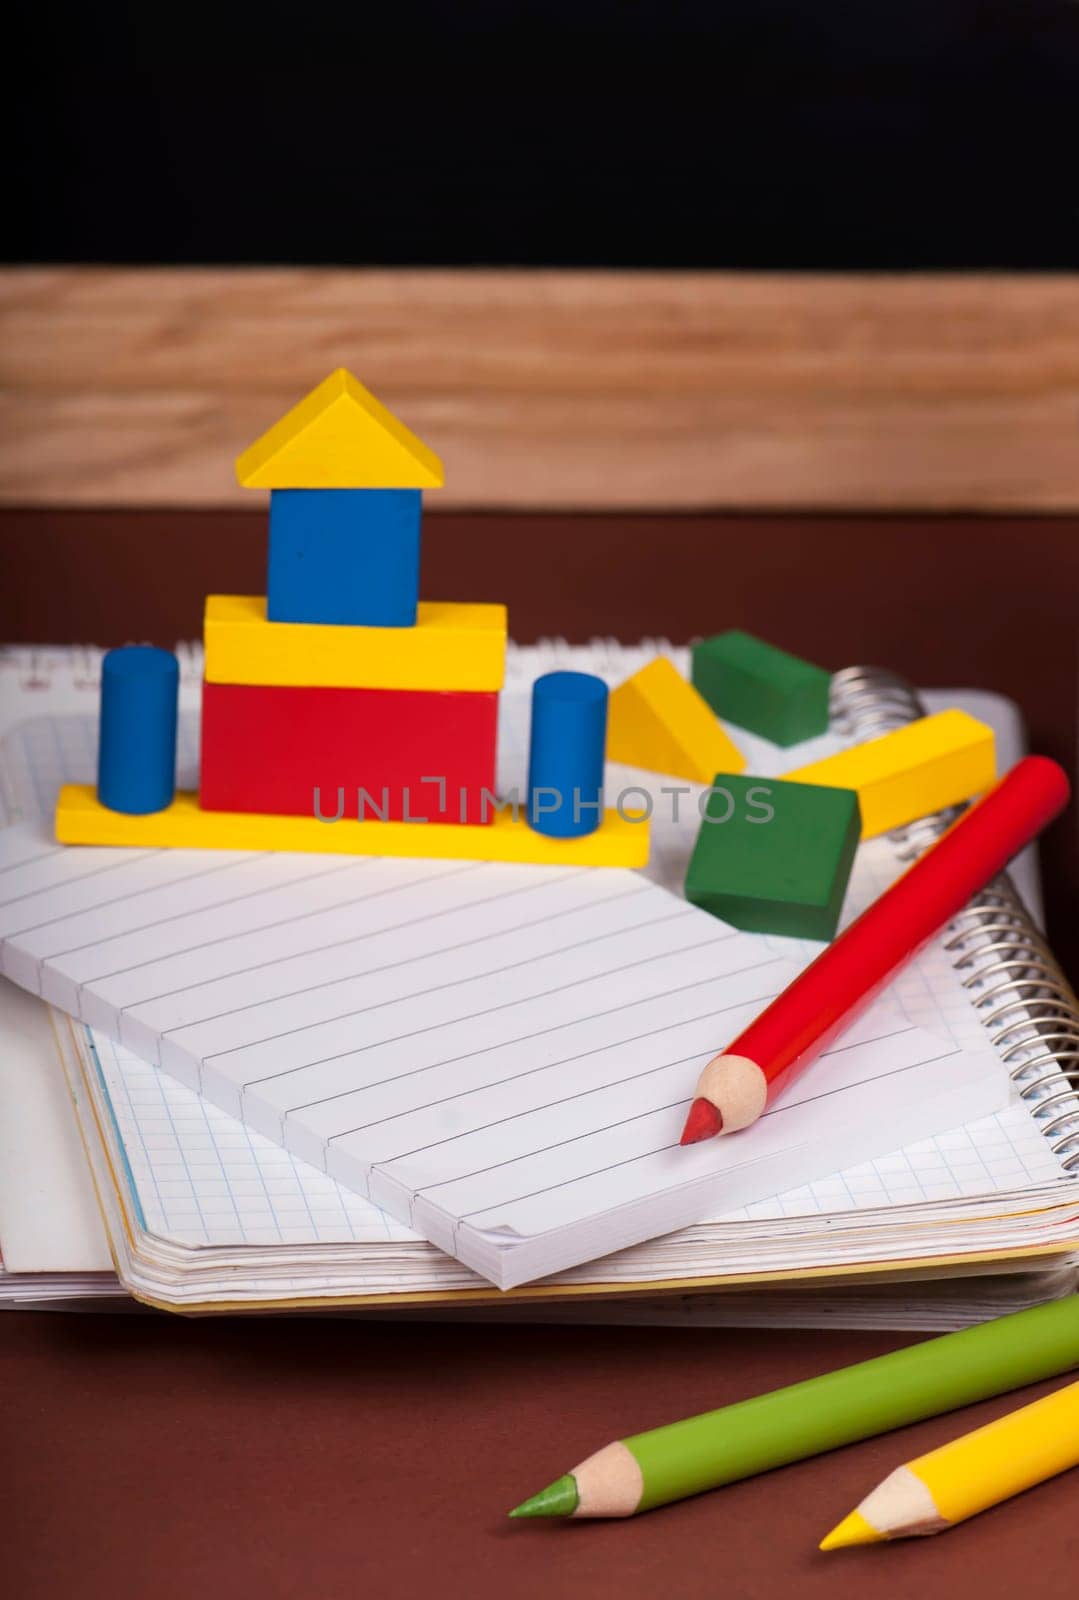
(82, 820)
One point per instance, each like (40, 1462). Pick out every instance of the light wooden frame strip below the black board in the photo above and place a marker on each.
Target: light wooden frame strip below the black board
(555, 390)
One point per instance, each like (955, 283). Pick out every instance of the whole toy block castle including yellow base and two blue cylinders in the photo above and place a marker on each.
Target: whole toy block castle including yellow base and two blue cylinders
(340, 697)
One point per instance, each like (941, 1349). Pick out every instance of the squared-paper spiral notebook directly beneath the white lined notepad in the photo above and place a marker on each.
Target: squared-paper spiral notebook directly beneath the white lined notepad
(215, 1214)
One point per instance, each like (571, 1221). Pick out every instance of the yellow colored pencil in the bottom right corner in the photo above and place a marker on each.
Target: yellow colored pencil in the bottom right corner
(968, 1476)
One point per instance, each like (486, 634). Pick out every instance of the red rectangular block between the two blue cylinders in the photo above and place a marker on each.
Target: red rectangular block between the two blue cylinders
(419, 754)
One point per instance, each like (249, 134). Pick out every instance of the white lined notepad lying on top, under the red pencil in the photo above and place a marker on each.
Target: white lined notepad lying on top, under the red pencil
(499, 1057)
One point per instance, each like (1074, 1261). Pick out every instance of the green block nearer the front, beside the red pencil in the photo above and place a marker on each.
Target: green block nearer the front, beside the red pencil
(776, 857)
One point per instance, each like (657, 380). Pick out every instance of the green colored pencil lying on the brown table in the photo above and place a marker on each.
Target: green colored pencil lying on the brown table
(804, 1420)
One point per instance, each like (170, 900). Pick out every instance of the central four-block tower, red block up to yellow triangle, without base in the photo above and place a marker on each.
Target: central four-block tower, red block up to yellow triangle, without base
(340, 694)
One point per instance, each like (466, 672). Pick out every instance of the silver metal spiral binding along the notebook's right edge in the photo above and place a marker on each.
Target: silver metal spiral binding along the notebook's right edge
(1016, 983)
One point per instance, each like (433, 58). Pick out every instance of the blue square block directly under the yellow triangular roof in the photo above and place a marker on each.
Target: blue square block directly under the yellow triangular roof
(348, 558)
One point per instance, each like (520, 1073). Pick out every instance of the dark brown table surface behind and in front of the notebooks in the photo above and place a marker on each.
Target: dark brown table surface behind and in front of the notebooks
(156, 1457)
